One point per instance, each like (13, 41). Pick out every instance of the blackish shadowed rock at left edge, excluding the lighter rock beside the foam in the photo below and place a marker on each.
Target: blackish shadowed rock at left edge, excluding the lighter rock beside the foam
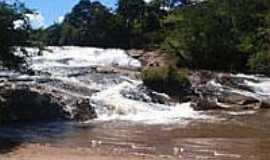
(21, 103)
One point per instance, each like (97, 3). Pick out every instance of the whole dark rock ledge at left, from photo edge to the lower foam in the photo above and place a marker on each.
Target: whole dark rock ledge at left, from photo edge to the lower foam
(25, 102)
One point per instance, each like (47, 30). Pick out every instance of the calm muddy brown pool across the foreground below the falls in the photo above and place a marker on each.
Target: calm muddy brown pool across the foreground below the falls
(227, 137)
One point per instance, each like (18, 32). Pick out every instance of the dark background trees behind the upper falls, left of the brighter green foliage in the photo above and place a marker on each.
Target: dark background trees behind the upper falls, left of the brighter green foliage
(134, 24)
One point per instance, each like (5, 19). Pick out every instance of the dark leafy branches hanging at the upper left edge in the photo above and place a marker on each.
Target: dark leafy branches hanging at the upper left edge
(14, 31)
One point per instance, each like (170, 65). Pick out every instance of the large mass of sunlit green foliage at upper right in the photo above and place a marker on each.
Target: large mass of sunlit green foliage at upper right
(217, 34)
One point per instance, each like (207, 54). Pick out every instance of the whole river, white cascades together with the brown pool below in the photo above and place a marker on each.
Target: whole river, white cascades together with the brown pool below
(129, 124)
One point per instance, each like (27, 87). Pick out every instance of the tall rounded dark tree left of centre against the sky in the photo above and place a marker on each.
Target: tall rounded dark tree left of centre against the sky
(87, 24)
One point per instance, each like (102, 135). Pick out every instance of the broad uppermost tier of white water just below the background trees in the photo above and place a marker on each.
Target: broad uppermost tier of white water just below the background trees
(84, 57)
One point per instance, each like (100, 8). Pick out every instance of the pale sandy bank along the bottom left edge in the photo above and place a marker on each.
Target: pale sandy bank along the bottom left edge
(45, 152)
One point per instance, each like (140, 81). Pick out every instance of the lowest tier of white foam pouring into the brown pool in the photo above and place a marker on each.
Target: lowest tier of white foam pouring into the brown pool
(111, 104)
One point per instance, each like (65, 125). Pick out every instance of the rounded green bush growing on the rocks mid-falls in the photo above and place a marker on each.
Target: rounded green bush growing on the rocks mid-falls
(165, 79)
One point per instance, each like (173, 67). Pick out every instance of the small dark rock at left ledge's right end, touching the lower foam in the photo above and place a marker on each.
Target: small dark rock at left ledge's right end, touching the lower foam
(84, 111)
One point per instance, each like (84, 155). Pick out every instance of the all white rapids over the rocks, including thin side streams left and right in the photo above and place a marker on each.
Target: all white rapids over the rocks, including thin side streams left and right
(72, 69)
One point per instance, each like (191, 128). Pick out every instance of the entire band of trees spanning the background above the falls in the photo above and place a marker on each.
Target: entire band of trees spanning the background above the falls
(226, 35)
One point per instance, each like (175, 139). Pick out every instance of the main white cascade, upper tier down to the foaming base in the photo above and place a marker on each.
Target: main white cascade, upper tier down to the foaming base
(109, 102)
